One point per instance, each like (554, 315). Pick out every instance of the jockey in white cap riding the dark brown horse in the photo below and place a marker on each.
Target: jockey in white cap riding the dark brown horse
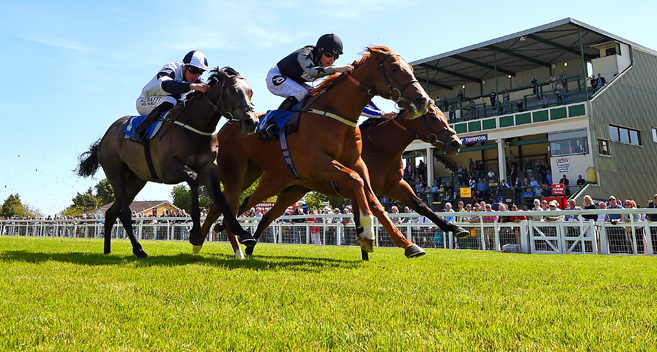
(171, 85)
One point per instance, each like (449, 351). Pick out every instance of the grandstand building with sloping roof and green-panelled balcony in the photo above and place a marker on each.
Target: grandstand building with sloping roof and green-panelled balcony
(607, 134)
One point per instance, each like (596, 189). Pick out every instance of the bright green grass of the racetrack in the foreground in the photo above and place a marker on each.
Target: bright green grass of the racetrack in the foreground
(64, 294)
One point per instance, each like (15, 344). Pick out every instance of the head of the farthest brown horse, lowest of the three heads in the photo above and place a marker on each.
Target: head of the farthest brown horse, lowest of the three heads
(432, 128)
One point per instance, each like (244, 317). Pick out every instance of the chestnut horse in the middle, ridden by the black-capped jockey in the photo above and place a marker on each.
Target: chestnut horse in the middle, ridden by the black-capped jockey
(325, 147)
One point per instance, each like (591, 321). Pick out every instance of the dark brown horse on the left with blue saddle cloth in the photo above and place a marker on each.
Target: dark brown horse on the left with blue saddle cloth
(184, 152)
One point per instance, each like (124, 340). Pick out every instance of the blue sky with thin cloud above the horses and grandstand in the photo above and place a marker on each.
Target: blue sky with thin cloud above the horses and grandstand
(71, 68)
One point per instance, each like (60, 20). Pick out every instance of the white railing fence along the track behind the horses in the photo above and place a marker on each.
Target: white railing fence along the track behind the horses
(546, 237)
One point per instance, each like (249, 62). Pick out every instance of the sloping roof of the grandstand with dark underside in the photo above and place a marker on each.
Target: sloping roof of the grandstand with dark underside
(529, 49)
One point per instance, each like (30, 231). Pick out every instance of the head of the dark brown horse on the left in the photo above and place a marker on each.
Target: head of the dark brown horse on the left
(235, 98)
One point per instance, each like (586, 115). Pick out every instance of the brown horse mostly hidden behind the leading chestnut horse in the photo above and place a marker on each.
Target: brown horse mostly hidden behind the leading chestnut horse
(383, 145)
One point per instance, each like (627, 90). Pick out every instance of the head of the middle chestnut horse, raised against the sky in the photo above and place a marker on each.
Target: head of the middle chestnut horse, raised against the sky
(395, 80)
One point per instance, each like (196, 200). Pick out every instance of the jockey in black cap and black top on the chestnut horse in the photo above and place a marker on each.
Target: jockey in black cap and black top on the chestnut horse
(289, 76)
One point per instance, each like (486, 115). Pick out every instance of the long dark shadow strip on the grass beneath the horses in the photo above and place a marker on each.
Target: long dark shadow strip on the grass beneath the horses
(260, 262)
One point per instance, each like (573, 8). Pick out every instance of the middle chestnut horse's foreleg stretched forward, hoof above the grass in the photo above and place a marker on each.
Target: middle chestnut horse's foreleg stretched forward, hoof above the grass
(411, 249)
